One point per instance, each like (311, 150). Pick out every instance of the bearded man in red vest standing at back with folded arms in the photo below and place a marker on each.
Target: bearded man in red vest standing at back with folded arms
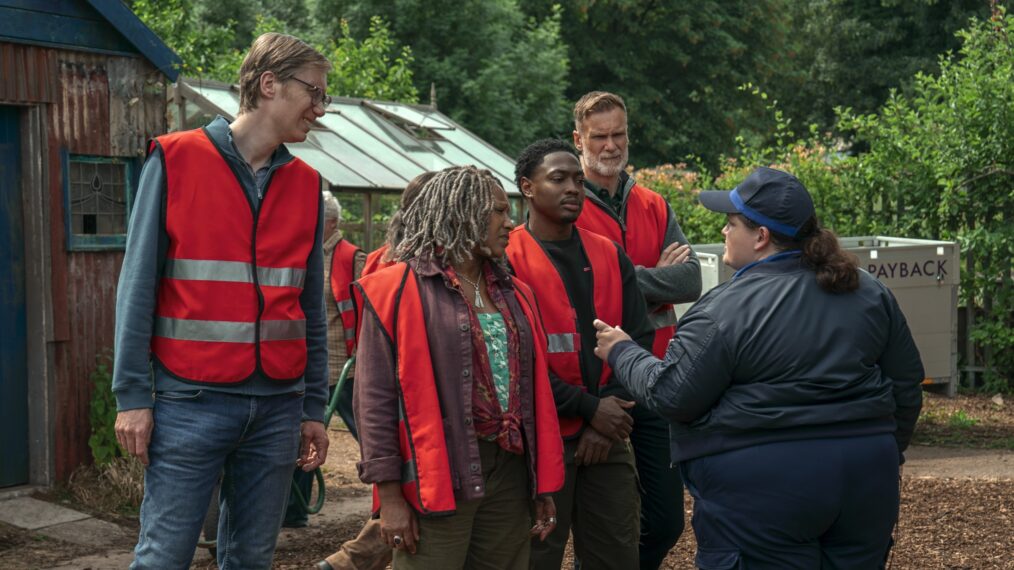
(668, 273)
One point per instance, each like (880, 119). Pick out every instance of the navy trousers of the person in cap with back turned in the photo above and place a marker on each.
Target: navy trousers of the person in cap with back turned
(818, 504)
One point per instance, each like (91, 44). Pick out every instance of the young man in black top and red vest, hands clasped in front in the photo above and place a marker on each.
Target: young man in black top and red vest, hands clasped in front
(580, 276)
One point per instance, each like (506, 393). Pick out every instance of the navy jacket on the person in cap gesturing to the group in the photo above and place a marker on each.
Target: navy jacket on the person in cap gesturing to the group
(770, 357)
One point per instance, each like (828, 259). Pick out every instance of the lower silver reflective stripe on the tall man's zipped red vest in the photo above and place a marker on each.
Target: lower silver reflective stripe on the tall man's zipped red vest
(229, 331)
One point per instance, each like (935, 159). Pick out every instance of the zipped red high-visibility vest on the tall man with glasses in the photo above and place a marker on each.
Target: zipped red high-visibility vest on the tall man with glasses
(229, 300)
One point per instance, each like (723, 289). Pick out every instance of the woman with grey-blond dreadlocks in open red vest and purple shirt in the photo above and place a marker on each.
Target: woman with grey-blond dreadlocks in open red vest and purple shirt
(458, 424)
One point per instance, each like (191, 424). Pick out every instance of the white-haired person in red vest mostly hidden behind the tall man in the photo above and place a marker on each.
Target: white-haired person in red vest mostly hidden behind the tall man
(343, 264)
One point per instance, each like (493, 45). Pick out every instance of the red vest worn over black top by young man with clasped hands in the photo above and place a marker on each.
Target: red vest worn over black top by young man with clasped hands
(533, 265)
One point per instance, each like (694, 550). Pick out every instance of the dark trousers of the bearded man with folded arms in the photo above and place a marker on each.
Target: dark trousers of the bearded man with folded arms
(662, 488)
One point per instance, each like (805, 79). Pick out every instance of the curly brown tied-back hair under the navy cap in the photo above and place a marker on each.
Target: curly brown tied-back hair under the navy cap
(837, 270)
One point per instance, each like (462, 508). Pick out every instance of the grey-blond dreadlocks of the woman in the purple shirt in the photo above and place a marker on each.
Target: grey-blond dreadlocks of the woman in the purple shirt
(449, 218)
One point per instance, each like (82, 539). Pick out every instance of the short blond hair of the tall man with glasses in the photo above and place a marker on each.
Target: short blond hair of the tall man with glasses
(280, 54)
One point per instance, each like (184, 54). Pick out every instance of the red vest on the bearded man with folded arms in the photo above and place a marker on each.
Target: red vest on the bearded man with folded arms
(642, 236)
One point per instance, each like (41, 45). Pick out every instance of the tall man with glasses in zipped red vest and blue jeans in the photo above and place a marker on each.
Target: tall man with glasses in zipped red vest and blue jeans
(222, 365)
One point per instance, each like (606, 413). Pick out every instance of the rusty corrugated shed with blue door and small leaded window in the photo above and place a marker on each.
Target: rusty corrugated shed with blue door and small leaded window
(83, 88)
